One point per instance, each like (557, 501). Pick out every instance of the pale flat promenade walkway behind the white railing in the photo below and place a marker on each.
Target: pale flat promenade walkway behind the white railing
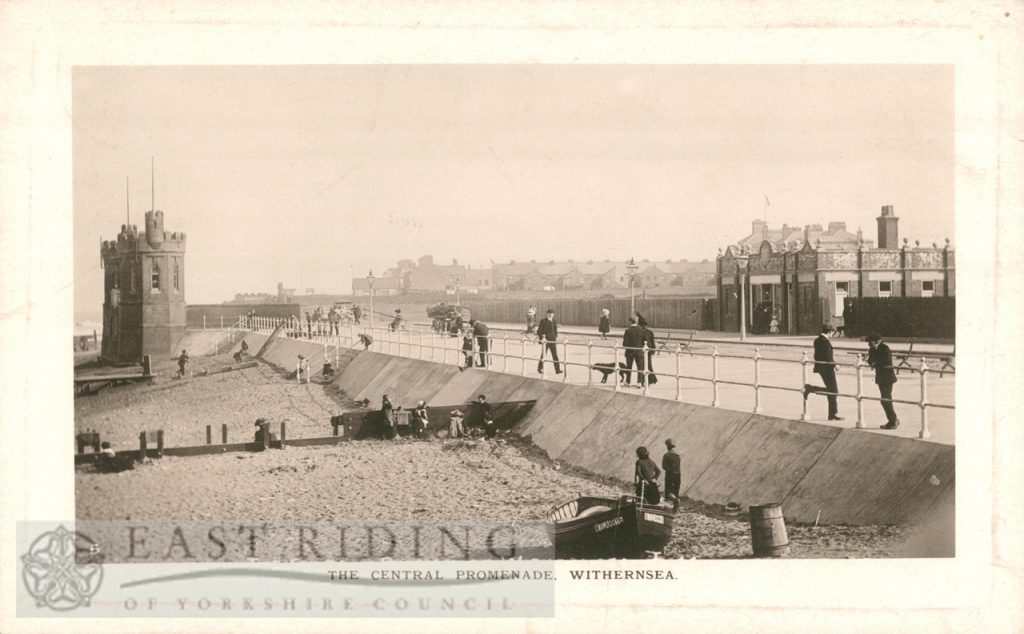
(764, 374)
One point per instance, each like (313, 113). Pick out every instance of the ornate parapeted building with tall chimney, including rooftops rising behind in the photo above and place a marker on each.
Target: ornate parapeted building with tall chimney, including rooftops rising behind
(803, 278)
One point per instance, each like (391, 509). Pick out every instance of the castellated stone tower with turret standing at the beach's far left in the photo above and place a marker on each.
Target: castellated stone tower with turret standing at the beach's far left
(144, 291)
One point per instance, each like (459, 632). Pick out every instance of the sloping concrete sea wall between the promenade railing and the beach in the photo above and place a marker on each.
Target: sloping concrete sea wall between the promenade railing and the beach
(833, 475)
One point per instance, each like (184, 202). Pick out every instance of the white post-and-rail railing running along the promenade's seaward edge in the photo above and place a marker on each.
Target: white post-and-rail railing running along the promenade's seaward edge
(425, 344)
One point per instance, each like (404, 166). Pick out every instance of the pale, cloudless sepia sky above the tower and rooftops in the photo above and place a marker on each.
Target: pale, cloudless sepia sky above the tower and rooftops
(311, 176)
